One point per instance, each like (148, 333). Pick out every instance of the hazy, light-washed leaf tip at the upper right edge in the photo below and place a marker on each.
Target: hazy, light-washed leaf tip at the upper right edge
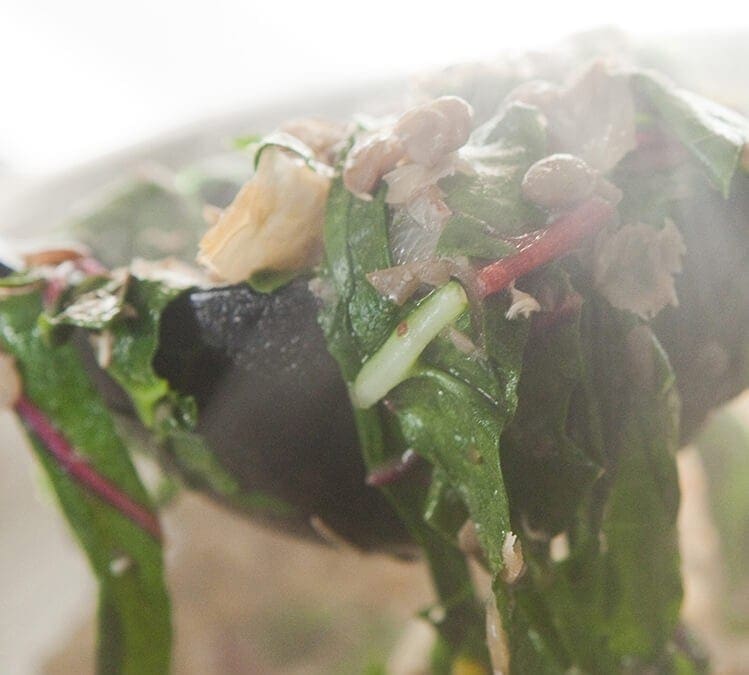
(714, 135)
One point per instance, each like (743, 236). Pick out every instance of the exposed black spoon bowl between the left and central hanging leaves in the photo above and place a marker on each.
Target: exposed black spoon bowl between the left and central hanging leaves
(273, 408)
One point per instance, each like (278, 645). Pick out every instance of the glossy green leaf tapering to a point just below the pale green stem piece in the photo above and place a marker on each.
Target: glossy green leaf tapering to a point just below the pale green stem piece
(453, 412)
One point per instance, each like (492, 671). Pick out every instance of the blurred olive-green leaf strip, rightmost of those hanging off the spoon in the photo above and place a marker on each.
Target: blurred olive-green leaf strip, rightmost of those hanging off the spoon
(643, 505)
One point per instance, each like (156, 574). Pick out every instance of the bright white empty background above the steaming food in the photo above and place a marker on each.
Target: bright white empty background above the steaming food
(81, 77)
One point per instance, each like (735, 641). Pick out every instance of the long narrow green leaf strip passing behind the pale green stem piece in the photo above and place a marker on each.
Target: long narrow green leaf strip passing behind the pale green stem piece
(356, 322)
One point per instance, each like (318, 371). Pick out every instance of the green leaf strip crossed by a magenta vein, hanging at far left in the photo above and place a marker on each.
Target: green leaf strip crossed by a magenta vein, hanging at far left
(134, 613)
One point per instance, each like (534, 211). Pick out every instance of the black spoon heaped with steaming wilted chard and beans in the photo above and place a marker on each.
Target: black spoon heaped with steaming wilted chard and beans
(493, 295)
